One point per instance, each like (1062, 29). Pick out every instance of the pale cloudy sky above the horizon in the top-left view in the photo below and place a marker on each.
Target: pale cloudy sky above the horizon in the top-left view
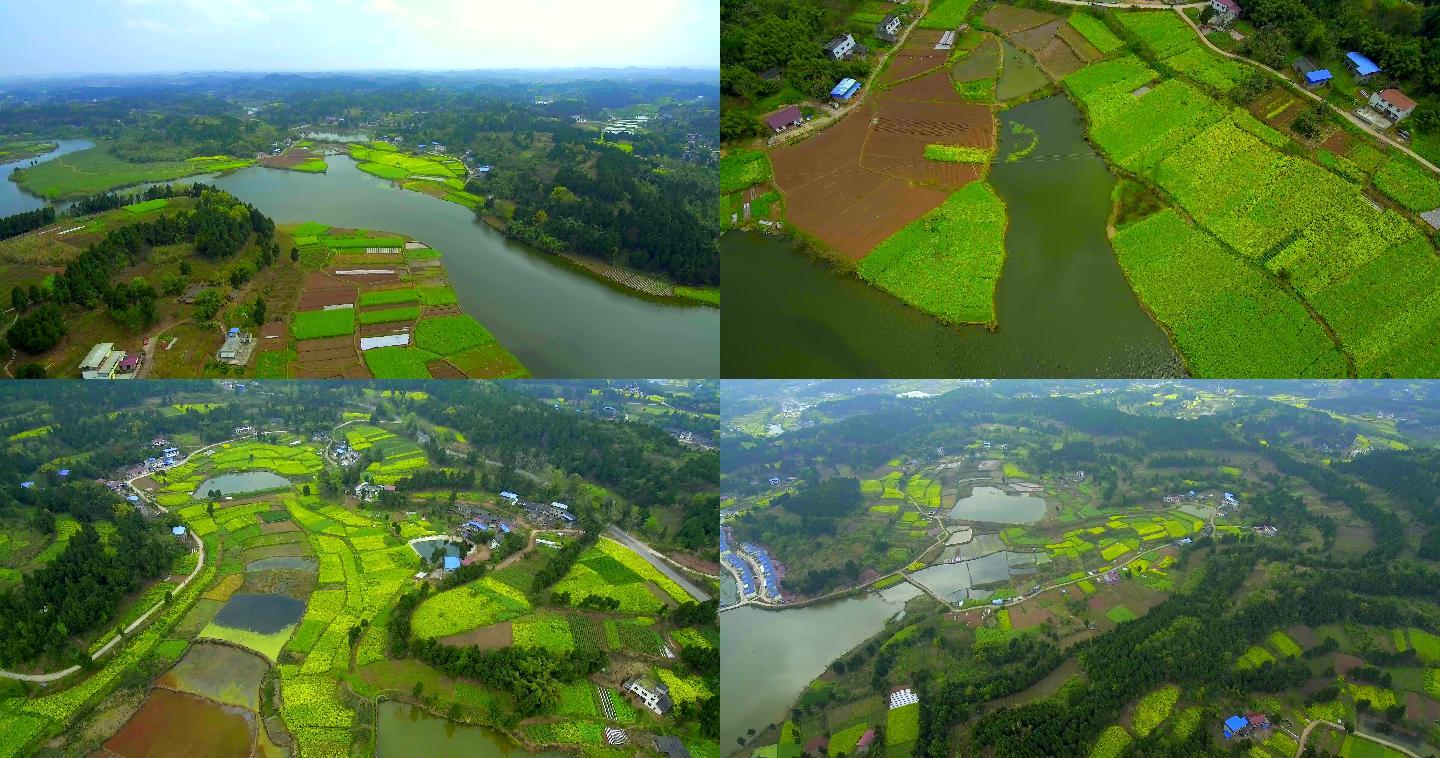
(132, 37)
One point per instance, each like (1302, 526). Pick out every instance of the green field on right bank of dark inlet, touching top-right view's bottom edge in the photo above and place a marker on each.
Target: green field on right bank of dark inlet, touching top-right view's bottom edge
(1226, 316)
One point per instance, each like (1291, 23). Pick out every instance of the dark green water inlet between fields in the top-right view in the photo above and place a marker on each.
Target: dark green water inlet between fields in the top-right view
(1063, 305)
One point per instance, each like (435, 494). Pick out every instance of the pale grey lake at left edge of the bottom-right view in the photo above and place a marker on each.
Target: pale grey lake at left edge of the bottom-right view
(773, 656)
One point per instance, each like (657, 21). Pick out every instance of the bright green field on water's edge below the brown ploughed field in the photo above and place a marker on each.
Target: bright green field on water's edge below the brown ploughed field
(948, 262)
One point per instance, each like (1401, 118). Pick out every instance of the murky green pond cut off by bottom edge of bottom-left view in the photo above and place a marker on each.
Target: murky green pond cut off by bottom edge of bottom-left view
(404, 730)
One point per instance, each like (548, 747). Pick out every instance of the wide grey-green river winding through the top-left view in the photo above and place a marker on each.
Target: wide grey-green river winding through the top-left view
(559, 322)
